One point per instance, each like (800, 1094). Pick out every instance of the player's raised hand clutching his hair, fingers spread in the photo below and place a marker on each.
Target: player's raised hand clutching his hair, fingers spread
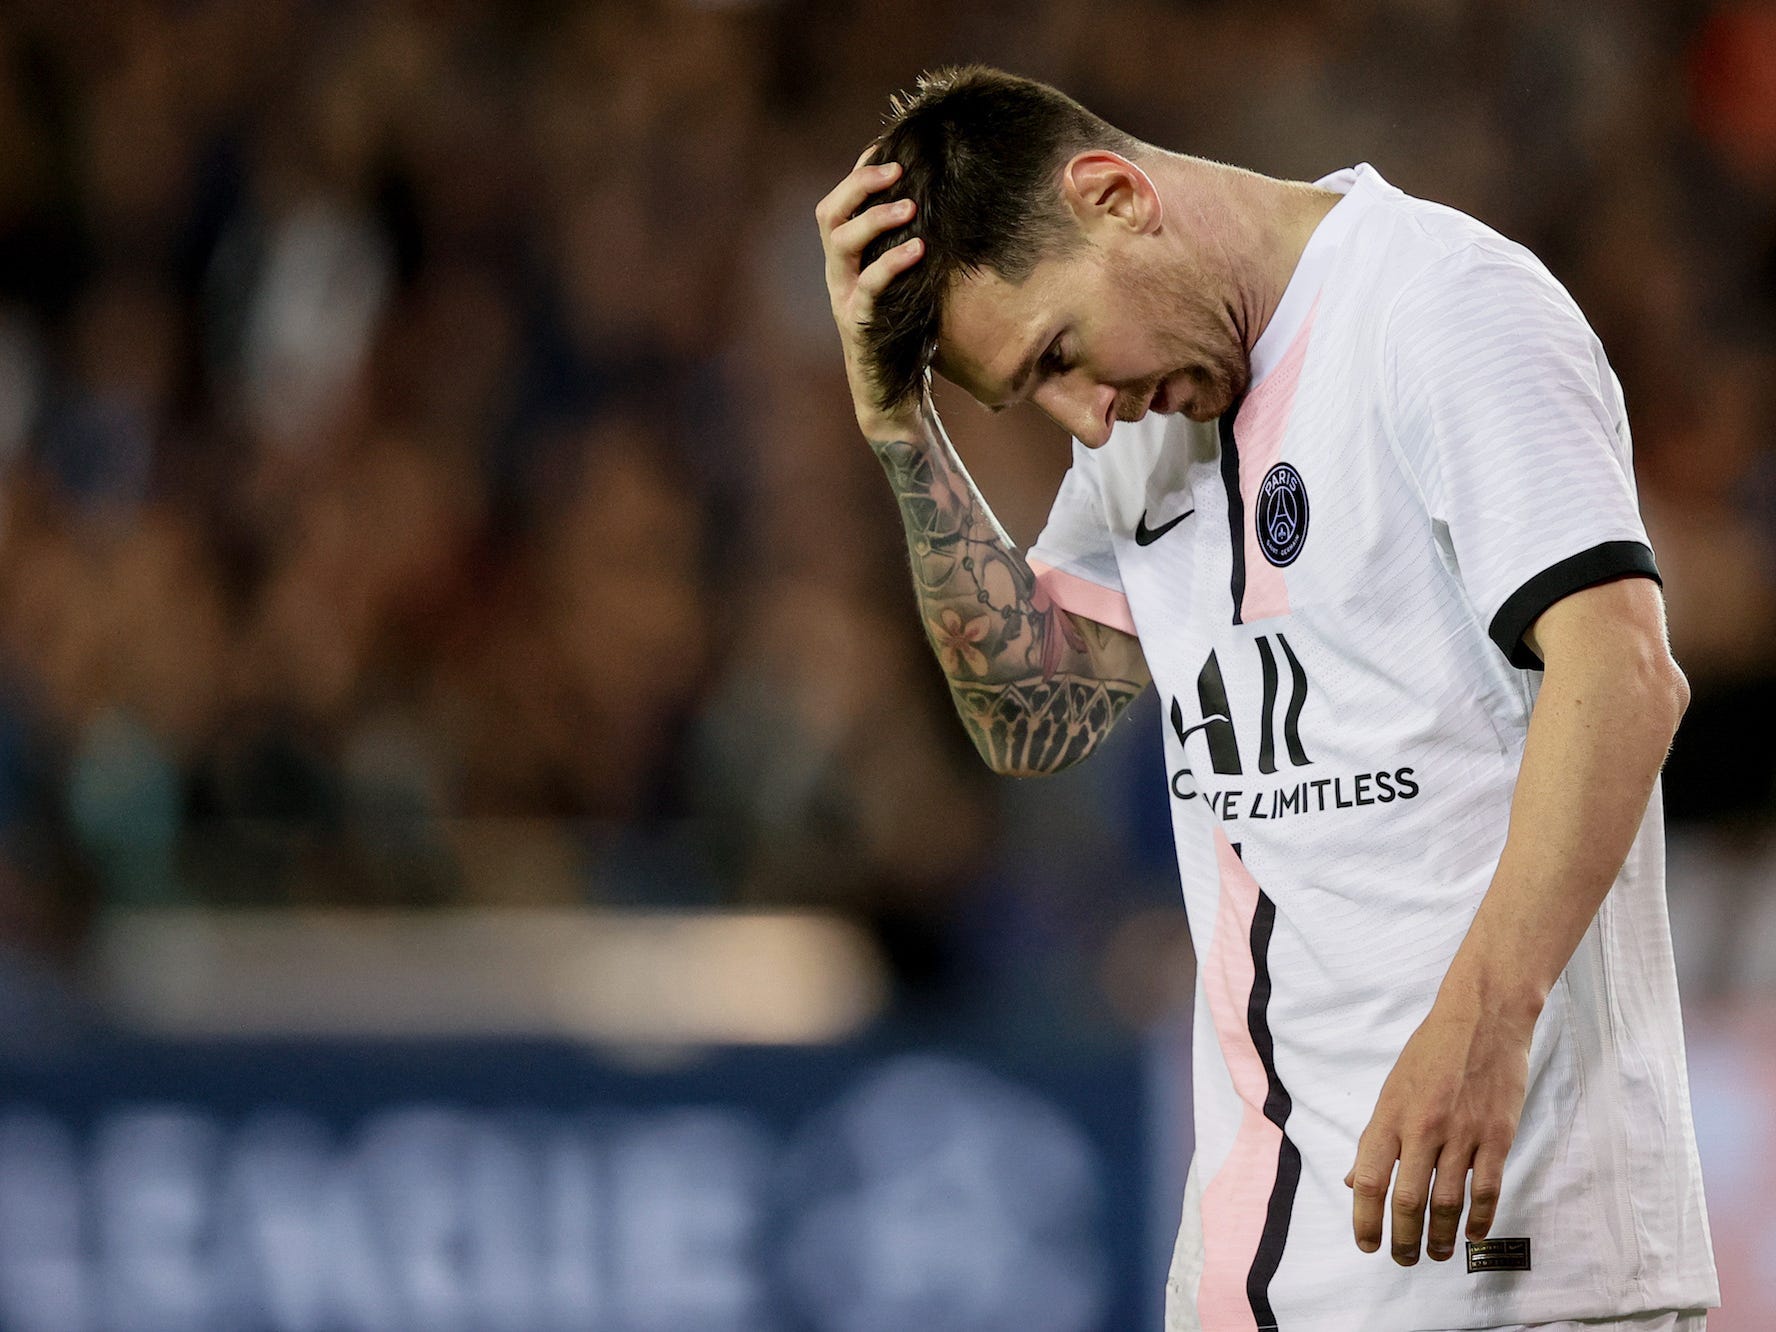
(855, 289)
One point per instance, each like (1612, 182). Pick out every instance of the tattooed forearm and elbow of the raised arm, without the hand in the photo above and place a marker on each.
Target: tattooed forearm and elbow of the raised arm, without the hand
(1036, 688)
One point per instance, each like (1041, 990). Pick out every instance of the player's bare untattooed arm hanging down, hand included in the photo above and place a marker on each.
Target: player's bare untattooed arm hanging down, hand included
(1603, 725)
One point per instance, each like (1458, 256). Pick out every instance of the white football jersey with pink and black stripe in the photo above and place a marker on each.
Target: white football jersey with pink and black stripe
(1331, 591)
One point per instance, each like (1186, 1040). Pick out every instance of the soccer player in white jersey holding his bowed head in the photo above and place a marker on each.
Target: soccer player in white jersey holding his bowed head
(1352, 488)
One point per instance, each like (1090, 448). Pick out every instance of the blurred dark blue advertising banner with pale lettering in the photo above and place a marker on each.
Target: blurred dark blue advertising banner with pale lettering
(535, 1187)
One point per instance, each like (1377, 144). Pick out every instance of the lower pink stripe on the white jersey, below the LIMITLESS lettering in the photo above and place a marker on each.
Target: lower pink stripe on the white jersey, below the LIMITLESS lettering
(1237, 1200)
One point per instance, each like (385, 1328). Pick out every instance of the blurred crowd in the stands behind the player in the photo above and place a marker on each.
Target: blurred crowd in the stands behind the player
(427, 472)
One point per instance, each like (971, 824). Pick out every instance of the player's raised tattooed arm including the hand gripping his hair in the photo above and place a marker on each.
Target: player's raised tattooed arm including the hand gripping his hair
(1036, 686)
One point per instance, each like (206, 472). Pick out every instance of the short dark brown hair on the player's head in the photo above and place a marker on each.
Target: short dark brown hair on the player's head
(981, 155)
